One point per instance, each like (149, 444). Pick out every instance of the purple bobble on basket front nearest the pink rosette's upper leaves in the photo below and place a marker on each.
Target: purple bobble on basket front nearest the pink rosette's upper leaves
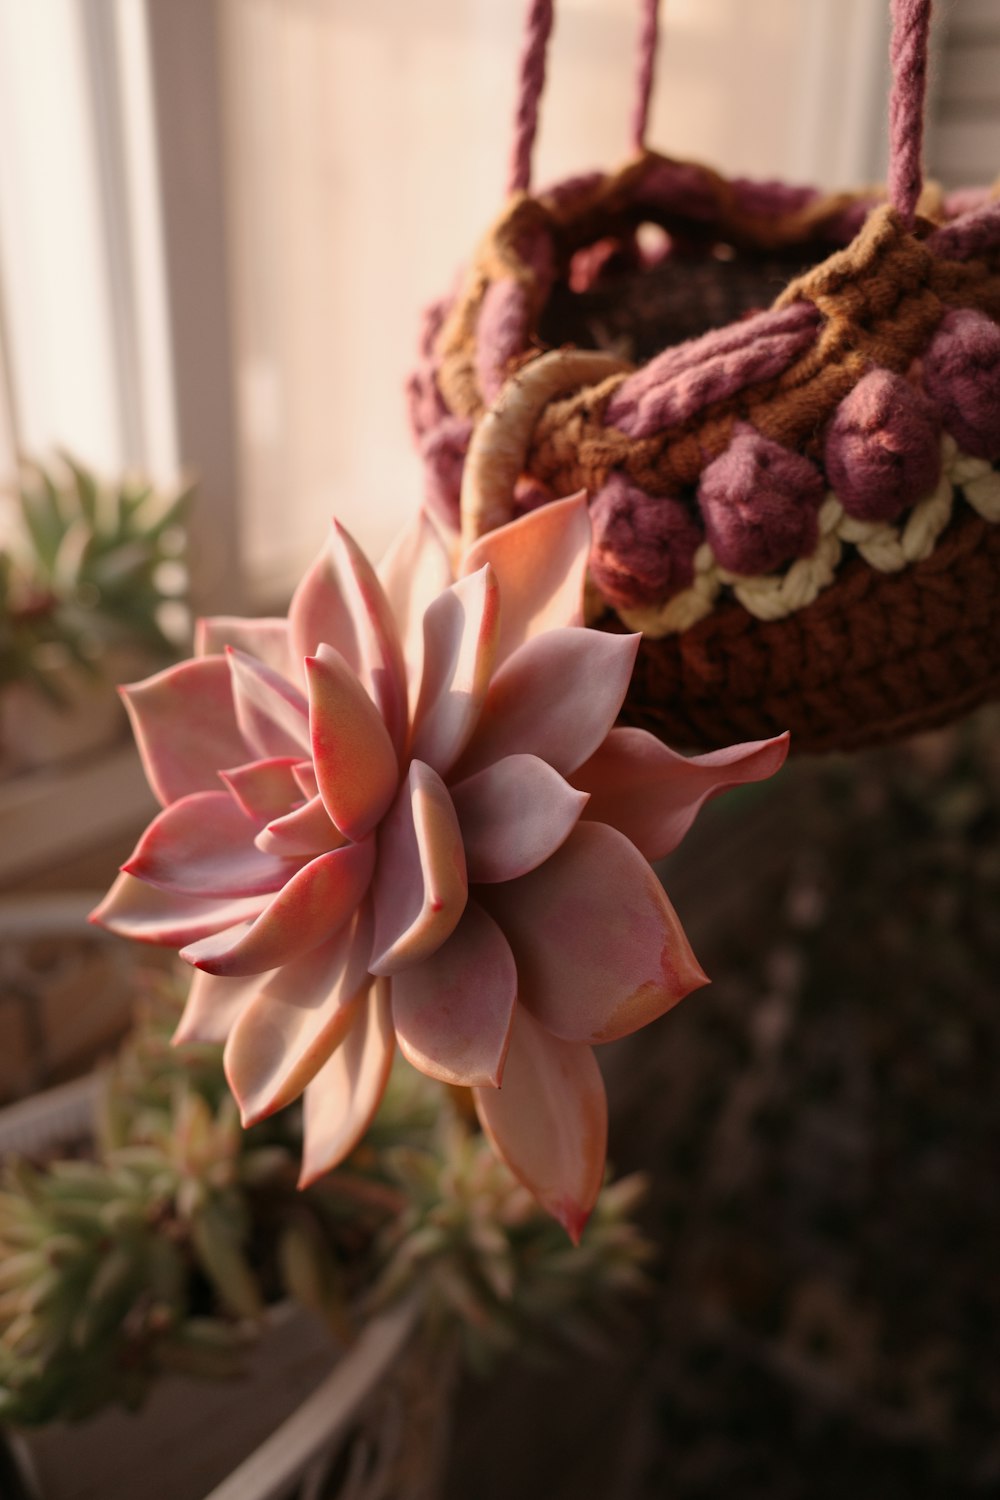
(644, 548)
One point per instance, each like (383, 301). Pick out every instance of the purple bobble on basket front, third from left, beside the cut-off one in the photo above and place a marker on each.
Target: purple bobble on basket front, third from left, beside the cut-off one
(882, 448)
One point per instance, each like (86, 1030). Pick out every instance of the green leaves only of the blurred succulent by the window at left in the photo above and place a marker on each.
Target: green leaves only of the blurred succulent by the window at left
(91, 566)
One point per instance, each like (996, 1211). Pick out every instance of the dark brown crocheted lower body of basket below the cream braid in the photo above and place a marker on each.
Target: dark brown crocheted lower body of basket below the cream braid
(873, 659)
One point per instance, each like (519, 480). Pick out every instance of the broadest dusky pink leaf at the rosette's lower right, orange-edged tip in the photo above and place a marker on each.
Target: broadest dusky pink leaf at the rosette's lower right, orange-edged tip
(599, 949)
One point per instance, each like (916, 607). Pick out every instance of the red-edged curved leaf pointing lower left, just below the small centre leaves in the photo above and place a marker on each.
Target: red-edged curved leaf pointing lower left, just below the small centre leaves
(313, 907)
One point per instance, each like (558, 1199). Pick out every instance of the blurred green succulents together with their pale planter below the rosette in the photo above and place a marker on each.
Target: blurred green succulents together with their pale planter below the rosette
(157, 1256)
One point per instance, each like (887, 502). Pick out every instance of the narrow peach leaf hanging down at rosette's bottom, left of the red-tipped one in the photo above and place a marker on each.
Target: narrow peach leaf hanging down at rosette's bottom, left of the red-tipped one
(344, 1097)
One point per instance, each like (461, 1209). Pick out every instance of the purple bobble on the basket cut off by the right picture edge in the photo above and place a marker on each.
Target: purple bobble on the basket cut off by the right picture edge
(962, 376)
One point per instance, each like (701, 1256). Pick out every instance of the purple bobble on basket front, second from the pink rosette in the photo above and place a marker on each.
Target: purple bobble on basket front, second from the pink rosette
(759, 503)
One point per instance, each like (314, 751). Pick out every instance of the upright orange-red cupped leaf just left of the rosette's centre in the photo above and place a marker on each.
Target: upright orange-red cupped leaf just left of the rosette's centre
(352, 751)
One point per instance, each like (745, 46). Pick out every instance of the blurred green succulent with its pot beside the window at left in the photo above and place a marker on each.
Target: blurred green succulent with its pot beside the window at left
(92, 592)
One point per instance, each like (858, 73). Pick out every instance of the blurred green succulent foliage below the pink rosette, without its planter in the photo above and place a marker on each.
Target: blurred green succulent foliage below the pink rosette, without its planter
(164, 1247)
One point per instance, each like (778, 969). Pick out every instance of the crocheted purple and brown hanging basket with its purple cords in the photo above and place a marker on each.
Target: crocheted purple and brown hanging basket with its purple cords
(795, 500)
